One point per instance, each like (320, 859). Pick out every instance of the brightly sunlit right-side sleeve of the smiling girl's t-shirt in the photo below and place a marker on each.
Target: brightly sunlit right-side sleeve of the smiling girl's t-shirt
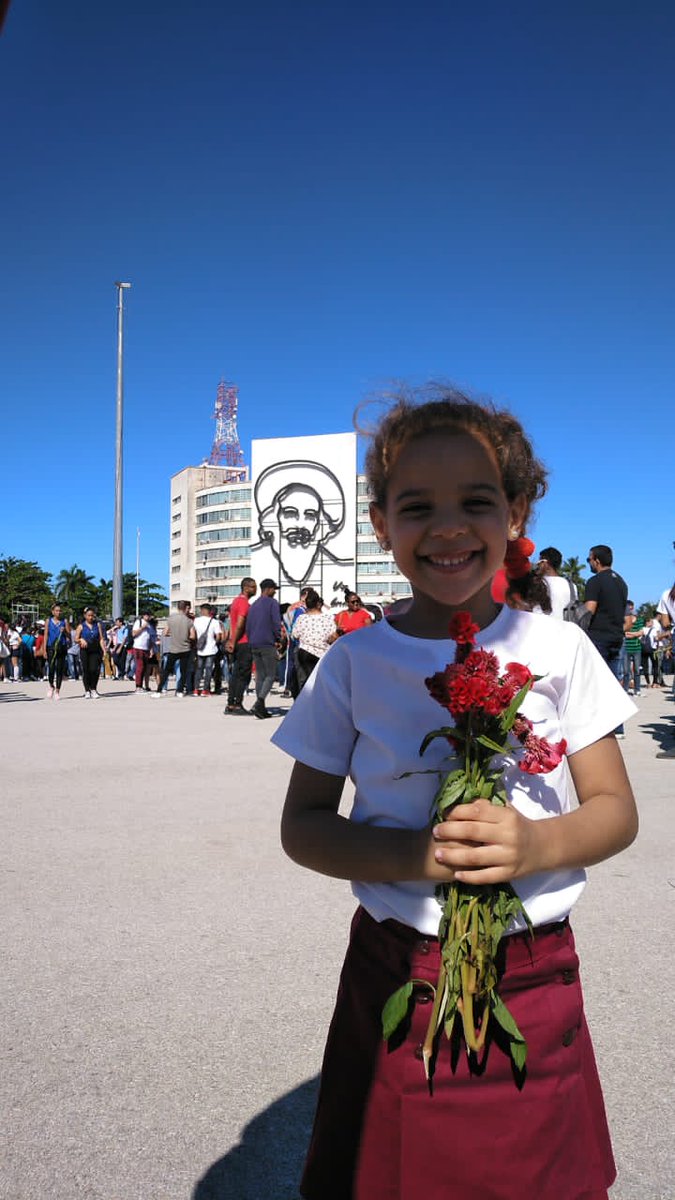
(594, 703)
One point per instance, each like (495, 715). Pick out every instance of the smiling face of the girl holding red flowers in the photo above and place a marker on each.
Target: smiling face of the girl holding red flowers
(449, 520)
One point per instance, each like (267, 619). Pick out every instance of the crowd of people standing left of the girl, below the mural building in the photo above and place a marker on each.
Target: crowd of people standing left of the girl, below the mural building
(210, 653)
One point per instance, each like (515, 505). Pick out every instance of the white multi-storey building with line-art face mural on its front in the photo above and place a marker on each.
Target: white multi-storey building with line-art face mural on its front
(298, 521)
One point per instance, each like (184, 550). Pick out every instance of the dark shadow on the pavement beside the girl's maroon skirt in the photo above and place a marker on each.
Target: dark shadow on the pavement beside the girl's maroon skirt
(268, 1162)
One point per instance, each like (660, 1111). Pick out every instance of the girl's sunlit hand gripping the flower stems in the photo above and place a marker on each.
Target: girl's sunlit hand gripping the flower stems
(487, 844)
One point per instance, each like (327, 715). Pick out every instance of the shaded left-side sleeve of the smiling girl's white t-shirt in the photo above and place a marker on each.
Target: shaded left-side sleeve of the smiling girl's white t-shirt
(320, 729)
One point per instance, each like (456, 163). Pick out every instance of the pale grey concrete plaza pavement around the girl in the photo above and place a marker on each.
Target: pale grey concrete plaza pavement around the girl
(169, 975)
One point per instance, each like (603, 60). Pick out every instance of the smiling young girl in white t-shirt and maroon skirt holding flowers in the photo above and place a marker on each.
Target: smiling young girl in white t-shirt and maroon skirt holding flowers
(453, 484)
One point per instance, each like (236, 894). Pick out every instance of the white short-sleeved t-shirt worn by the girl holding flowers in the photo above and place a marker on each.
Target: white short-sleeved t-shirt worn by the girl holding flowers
(366, 710)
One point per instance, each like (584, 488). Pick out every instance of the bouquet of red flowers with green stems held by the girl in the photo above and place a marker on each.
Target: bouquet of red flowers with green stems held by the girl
(485, 706)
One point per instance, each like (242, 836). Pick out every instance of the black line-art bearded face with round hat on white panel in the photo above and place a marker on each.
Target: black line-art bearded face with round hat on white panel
(301, 508)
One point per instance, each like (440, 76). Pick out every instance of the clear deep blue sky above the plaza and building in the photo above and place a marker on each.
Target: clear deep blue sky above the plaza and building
(315, 199)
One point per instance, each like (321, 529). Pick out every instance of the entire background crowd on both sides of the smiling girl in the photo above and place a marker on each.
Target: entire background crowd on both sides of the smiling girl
(279, 646)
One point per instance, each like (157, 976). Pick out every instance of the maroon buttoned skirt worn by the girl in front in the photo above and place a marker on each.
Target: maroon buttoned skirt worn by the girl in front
(379, 1132)
